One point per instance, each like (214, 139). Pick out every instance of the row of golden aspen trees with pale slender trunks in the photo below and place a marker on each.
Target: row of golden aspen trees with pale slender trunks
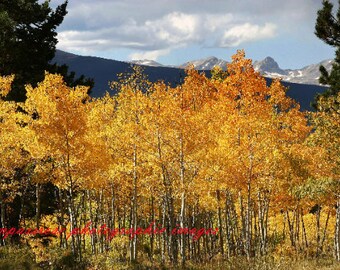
(228, 152)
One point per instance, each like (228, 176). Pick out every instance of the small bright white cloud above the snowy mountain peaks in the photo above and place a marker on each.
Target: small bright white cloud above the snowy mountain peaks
(246, 32)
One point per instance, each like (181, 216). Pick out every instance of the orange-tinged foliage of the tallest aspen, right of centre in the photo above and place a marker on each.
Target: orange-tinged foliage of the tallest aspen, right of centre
(256, 130)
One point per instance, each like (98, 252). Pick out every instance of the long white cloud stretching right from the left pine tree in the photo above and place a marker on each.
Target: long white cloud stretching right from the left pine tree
(153, 36)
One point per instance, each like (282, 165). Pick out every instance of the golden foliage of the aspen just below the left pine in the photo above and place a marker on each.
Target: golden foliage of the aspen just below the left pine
(59, 126)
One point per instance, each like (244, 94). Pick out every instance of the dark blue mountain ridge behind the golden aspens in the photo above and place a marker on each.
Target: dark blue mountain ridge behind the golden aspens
(105, 70)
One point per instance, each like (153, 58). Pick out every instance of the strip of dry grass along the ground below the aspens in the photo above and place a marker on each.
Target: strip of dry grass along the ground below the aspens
(23, 258)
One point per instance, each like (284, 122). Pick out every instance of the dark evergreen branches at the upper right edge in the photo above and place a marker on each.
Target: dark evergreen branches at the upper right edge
(327, 28)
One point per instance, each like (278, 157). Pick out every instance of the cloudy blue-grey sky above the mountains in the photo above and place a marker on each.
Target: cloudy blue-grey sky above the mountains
(176, 31)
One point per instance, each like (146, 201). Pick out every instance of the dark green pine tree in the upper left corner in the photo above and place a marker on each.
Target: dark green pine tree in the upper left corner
(28, 41)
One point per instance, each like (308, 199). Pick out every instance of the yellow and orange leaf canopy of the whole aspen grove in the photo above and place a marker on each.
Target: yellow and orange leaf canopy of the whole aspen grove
(204, 135)
